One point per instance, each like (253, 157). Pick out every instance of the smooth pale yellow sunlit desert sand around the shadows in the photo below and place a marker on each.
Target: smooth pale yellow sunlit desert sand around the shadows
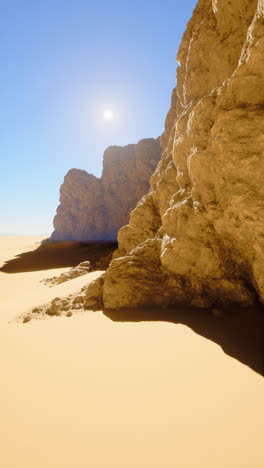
(86, 391)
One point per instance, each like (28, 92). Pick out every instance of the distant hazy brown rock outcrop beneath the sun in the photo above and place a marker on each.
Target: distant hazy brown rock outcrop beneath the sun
(94, 209)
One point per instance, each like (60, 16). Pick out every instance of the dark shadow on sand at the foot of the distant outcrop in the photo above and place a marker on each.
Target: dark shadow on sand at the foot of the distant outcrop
(61, 255)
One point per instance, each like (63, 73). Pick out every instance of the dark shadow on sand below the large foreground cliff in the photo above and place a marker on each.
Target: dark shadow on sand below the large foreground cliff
(239, 332)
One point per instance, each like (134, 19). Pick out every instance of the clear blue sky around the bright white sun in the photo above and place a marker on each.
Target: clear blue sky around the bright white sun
(62, 63)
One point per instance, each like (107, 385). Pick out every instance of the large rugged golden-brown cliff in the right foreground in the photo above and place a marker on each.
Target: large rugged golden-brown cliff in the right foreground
(197, 237)
